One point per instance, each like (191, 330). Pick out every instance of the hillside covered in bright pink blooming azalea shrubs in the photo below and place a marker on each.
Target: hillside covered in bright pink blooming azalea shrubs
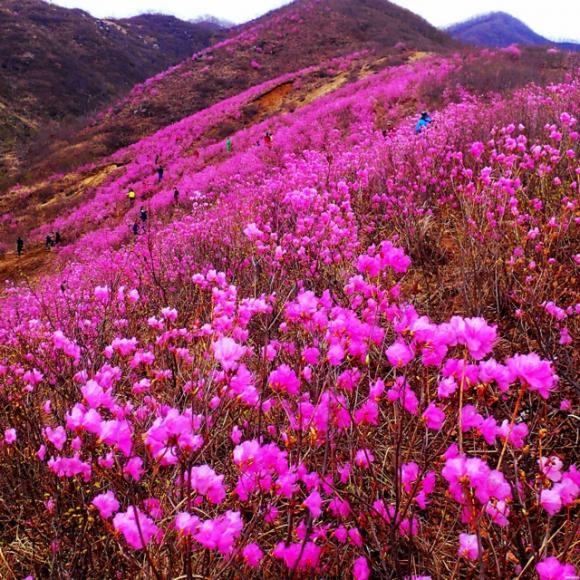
(345, 353)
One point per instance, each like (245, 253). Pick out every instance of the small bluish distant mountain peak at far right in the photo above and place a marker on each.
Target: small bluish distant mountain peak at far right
(498, 30)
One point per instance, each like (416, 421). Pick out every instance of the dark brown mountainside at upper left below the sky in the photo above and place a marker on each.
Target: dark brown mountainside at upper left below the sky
(58, 63)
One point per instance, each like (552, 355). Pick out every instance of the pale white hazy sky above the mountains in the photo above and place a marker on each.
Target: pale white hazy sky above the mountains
(552, 18)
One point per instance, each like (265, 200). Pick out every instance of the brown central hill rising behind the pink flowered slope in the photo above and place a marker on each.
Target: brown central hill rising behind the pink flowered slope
(301, 34)
